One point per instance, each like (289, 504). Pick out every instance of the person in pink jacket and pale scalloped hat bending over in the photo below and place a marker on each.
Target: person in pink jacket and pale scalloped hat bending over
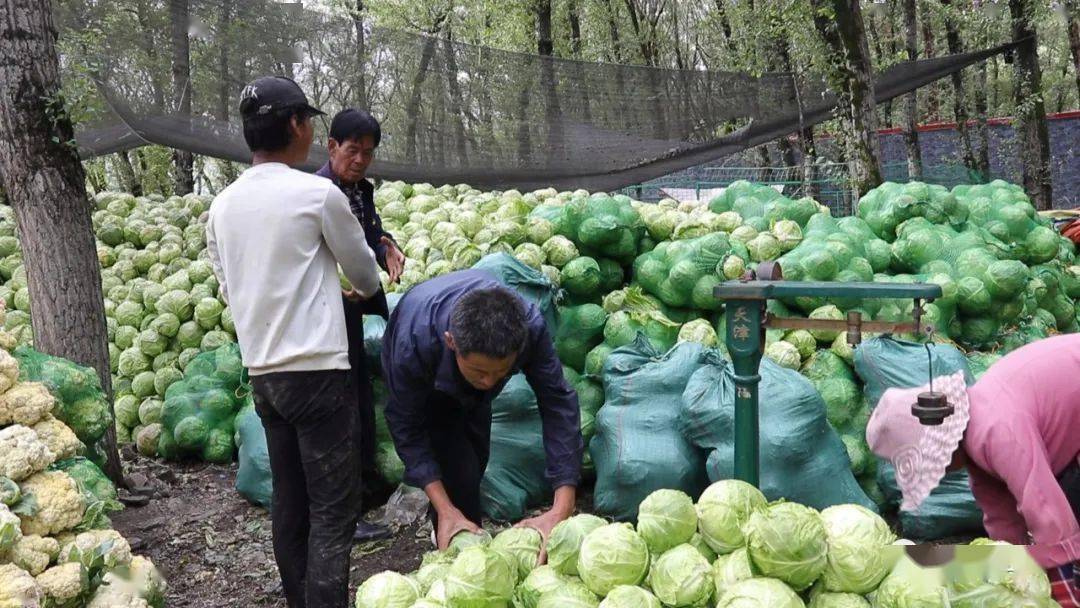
(1018, 433)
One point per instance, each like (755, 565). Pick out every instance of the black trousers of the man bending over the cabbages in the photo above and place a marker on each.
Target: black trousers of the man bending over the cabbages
(462, 441)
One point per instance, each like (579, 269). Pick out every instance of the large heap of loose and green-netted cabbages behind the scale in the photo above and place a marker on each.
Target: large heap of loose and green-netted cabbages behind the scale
(901, 234)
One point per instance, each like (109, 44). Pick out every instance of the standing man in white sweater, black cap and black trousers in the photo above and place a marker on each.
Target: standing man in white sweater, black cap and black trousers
(276, 238)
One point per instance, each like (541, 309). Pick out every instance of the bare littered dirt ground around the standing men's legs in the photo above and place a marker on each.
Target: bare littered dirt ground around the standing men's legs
(215, 549)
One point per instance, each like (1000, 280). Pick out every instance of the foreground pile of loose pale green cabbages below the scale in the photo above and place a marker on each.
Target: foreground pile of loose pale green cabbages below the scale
(730, 550)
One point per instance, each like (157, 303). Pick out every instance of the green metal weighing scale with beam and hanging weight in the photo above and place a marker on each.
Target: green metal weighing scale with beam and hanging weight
(747, 321)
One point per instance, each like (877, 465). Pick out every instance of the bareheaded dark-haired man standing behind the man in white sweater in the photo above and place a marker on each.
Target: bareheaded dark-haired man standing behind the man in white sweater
(354, 138)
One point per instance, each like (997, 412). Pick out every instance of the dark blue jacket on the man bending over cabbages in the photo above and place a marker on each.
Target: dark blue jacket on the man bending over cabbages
(416, 362)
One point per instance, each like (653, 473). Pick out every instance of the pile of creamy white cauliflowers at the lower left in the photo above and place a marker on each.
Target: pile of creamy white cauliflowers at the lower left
(53, 549)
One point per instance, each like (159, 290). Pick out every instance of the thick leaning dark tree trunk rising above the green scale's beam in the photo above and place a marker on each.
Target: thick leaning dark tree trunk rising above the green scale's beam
(841, 25)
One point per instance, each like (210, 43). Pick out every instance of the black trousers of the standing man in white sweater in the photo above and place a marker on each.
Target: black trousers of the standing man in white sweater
(314, 443)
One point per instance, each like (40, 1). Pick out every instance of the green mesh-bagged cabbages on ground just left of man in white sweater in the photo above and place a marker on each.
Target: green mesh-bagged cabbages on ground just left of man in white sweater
(199, 412)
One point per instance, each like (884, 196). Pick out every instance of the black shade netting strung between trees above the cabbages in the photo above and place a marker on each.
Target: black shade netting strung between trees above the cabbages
(451, 113)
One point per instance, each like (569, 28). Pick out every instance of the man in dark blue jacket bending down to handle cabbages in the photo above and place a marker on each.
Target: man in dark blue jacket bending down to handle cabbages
(450, 348)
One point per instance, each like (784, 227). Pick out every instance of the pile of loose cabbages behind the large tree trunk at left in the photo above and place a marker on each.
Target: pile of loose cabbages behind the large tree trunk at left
(163, 304)
